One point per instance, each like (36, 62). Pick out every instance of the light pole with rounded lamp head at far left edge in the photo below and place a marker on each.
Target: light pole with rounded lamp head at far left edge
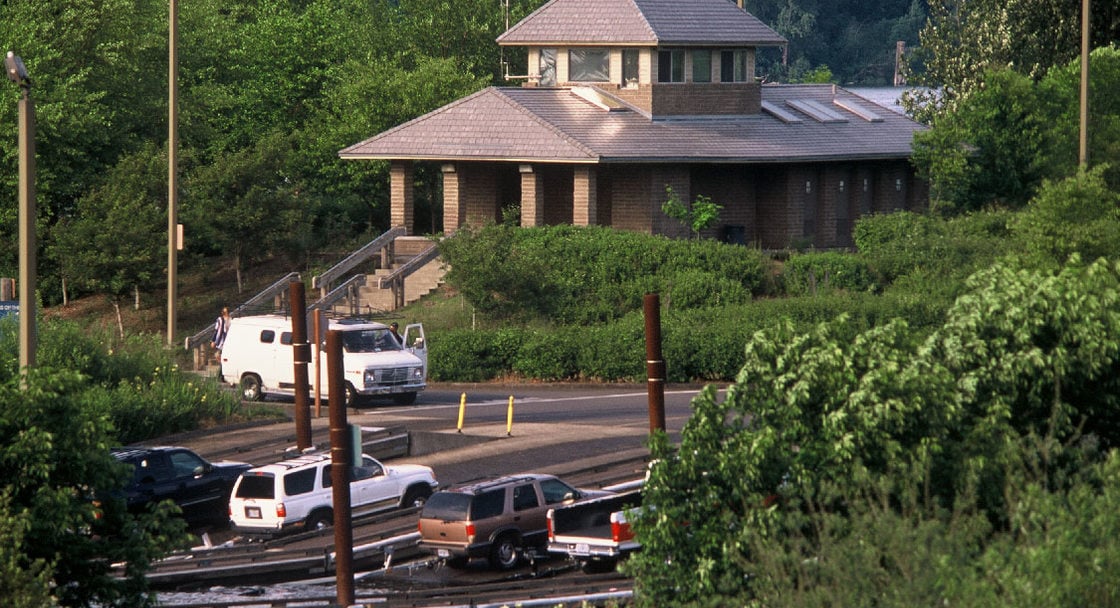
(27, 218)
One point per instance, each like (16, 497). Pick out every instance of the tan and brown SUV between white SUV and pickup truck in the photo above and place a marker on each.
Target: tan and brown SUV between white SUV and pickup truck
(497, 520)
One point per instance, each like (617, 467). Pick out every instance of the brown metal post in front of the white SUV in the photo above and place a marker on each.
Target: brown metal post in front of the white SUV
(340, 471)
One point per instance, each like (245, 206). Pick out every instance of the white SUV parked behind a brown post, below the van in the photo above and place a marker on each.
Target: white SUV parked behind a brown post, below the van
(296, 494)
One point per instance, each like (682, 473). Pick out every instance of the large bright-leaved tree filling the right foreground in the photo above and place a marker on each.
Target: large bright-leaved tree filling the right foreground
(826, 424)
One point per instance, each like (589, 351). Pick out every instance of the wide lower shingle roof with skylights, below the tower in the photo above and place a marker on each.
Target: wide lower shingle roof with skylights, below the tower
(557, 126)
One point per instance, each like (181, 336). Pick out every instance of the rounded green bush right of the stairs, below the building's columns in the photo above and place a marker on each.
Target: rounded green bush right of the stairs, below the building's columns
(571, 275)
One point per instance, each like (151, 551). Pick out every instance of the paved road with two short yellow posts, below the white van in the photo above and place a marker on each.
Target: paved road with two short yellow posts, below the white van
(553, 426)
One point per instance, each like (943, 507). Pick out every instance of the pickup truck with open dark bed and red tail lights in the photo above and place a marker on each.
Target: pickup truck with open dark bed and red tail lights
(595, 534)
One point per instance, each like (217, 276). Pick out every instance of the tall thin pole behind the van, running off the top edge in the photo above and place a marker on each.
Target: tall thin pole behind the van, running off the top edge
(173, 162)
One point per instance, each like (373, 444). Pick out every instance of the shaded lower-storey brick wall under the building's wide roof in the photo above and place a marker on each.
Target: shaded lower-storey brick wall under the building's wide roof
(767, 207)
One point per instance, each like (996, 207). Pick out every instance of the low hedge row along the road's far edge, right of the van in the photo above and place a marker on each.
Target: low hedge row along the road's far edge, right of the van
(697, 344)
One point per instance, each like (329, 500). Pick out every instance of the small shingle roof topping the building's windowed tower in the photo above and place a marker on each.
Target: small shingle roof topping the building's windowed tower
(654, 23)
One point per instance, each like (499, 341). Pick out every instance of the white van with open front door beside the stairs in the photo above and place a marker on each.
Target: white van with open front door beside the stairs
(258, 358)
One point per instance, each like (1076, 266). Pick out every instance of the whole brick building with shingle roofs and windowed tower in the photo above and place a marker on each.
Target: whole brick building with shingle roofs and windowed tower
(626, 98)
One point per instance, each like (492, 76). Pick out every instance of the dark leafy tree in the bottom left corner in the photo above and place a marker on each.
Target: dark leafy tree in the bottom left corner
(59, 497)
